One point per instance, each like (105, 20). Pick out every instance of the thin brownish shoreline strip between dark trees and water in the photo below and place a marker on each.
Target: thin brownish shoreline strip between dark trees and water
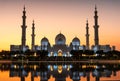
(82, 61)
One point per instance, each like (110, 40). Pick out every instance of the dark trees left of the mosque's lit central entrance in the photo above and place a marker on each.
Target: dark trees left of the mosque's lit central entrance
(27, 55)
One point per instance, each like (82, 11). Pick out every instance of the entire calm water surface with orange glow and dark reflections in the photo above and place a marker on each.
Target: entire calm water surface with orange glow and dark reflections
(44, 71)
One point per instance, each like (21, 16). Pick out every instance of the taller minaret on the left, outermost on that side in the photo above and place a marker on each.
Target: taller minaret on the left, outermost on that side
(23, 40)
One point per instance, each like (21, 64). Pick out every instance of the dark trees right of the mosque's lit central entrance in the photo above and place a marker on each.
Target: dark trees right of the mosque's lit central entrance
(90, 54)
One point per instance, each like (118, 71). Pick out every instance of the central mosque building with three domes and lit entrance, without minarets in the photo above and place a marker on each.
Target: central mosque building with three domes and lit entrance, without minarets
(60, 45)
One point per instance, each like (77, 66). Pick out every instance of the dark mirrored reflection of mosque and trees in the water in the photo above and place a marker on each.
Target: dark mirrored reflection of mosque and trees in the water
(60, 71)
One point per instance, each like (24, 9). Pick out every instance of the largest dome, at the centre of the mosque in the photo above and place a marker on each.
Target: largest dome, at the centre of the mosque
(60, 39)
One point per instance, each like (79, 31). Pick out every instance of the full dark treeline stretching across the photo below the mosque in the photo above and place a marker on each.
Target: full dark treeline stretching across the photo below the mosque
(42, 55)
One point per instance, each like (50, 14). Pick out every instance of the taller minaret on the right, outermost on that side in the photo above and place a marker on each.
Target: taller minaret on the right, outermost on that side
(96, 26)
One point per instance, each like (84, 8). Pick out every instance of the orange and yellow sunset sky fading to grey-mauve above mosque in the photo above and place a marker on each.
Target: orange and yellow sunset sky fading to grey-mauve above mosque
(53, 16)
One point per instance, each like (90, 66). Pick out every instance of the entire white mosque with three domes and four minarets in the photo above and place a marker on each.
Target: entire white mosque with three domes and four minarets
(60, 46)
